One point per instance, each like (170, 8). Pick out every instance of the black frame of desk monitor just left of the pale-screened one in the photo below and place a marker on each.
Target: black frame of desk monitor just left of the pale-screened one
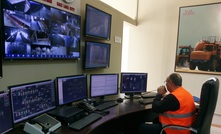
(70, 76)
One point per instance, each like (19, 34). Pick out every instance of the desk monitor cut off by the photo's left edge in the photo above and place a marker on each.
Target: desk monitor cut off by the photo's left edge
(5, 113)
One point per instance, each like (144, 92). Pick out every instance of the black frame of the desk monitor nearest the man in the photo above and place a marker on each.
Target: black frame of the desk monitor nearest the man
(132, 73)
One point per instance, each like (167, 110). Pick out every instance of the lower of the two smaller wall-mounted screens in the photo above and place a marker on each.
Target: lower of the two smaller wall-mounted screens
(97, 55)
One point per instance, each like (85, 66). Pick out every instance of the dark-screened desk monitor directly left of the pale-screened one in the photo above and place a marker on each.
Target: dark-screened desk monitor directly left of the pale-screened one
(71, 88)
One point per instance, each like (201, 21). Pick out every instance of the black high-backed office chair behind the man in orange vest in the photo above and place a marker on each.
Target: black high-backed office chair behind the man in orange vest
(204, 114)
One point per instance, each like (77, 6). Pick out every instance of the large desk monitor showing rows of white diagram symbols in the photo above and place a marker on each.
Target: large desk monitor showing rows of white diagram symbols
(32, 99)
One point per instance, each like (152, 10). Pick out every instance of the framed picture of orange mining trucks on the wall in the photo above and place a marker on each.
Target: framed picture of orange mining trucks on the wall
(199, 39)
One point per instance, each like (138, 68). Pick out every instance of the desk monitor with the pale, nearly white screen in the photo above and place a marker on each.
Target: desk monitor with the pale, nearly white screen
(102, 85)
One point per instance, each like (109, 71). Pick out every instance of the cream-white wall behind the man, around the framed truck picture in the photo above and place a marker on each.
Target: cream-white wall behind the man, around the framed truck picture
(152, 44)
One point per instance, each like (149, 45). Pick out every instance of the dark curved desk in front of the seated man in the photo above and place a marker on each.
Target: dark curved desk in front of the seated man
(124, 118)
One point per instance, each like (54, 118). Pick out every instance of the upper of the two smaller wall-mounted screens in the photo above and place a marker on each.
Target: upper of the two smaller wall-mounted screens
(97, 23)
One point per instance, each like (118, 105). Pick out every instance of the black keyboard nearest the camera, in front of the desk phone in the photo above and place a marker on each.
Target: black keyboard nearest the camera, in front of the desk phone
(85, 121)
